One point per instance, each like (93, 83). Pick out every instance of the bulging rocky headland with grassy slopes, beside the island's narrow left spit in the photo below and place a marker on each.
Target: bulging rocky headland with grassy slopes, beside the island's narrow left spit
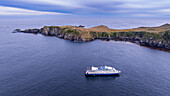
(67, 32)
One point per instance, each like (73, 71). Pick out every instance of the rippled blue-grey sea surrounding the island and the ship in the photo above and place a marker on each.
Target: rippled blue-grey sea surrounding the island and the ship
(37, 65)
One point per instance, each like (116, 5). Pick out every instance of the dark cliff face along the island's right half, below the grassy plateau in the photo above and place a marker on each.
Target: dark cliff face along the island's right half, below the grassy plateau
(158, 40)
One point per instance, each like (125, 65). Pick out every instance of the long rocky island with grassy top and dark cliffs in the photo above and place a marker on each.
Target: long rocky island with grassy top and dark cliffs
(152, 37)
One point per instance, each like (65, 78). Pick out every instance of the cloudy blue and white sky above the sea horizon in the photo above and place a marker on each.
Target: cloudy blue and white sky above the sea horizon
(86, 8)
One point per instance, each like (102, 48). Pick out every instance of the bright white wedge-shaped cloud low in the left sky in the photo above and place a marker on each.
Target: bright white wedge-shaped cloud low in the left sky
(18, 11)
